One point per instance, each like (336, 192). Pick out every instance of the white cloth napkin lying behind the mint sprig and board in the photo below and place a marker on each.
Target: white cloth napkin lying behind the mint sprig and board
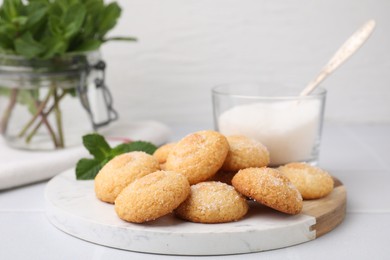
(20, 167)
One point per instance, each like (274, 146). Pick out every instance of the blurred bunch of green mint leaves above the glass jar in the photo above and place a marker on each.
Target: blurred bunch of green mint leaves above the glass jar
(45, 29)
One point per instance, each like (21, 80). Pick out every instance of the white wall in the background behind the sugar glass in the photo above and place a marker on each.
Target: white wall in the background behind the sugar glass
(186, 47)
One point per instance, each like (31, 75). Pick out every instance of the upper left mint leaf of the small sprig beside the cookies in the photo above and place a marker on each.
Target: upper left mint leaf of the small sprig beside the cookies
(97, 146)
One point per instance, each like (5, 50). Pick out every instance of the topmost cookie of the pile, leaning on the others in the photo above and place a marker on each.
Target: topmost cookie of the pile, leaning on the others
(198, 156)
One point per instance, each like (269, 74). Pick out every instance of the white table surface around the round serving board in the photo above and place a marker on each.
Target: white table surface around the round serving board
(357, 154)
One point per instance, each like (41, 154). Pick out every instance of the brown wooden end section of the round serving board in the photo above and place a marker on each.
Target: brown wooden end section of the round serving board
(328, 211)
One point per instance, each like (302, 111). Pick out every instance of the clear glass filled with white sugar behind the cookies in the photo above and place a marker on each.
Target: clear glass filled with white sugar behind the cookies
(289, 125)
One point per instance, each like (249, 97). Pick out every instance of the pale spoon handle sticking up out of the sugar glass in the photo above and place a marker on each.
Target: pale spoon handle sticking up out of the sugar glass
(343, 53)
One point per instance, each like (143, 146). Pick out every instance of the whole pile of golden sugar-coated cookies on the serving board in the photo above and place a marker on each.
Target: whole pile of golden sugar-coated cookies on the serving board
(207, 178)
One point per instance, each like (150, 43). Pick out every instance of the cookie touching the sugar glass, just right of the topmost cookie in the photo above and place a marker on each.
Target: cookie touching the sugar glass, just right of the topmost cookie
(244, 153)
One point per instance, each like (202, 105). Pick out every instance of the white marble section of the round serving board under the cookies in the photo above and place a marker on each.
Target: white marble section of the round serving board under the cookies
(73, 208)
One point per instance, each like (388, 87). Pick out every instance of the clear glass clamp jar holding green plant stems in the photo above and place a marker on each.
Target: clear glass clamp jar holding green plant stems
(51, 104)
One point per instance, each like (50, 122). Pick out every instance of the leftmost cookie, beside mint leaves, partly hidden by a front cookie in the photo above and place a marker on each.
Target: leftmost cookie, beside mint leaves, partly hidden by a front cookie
(122, 170)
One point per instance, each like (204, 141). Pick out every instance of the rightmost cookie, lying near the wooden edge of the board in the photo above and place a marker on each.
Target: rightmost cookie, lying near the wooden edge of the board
(312, 182)
